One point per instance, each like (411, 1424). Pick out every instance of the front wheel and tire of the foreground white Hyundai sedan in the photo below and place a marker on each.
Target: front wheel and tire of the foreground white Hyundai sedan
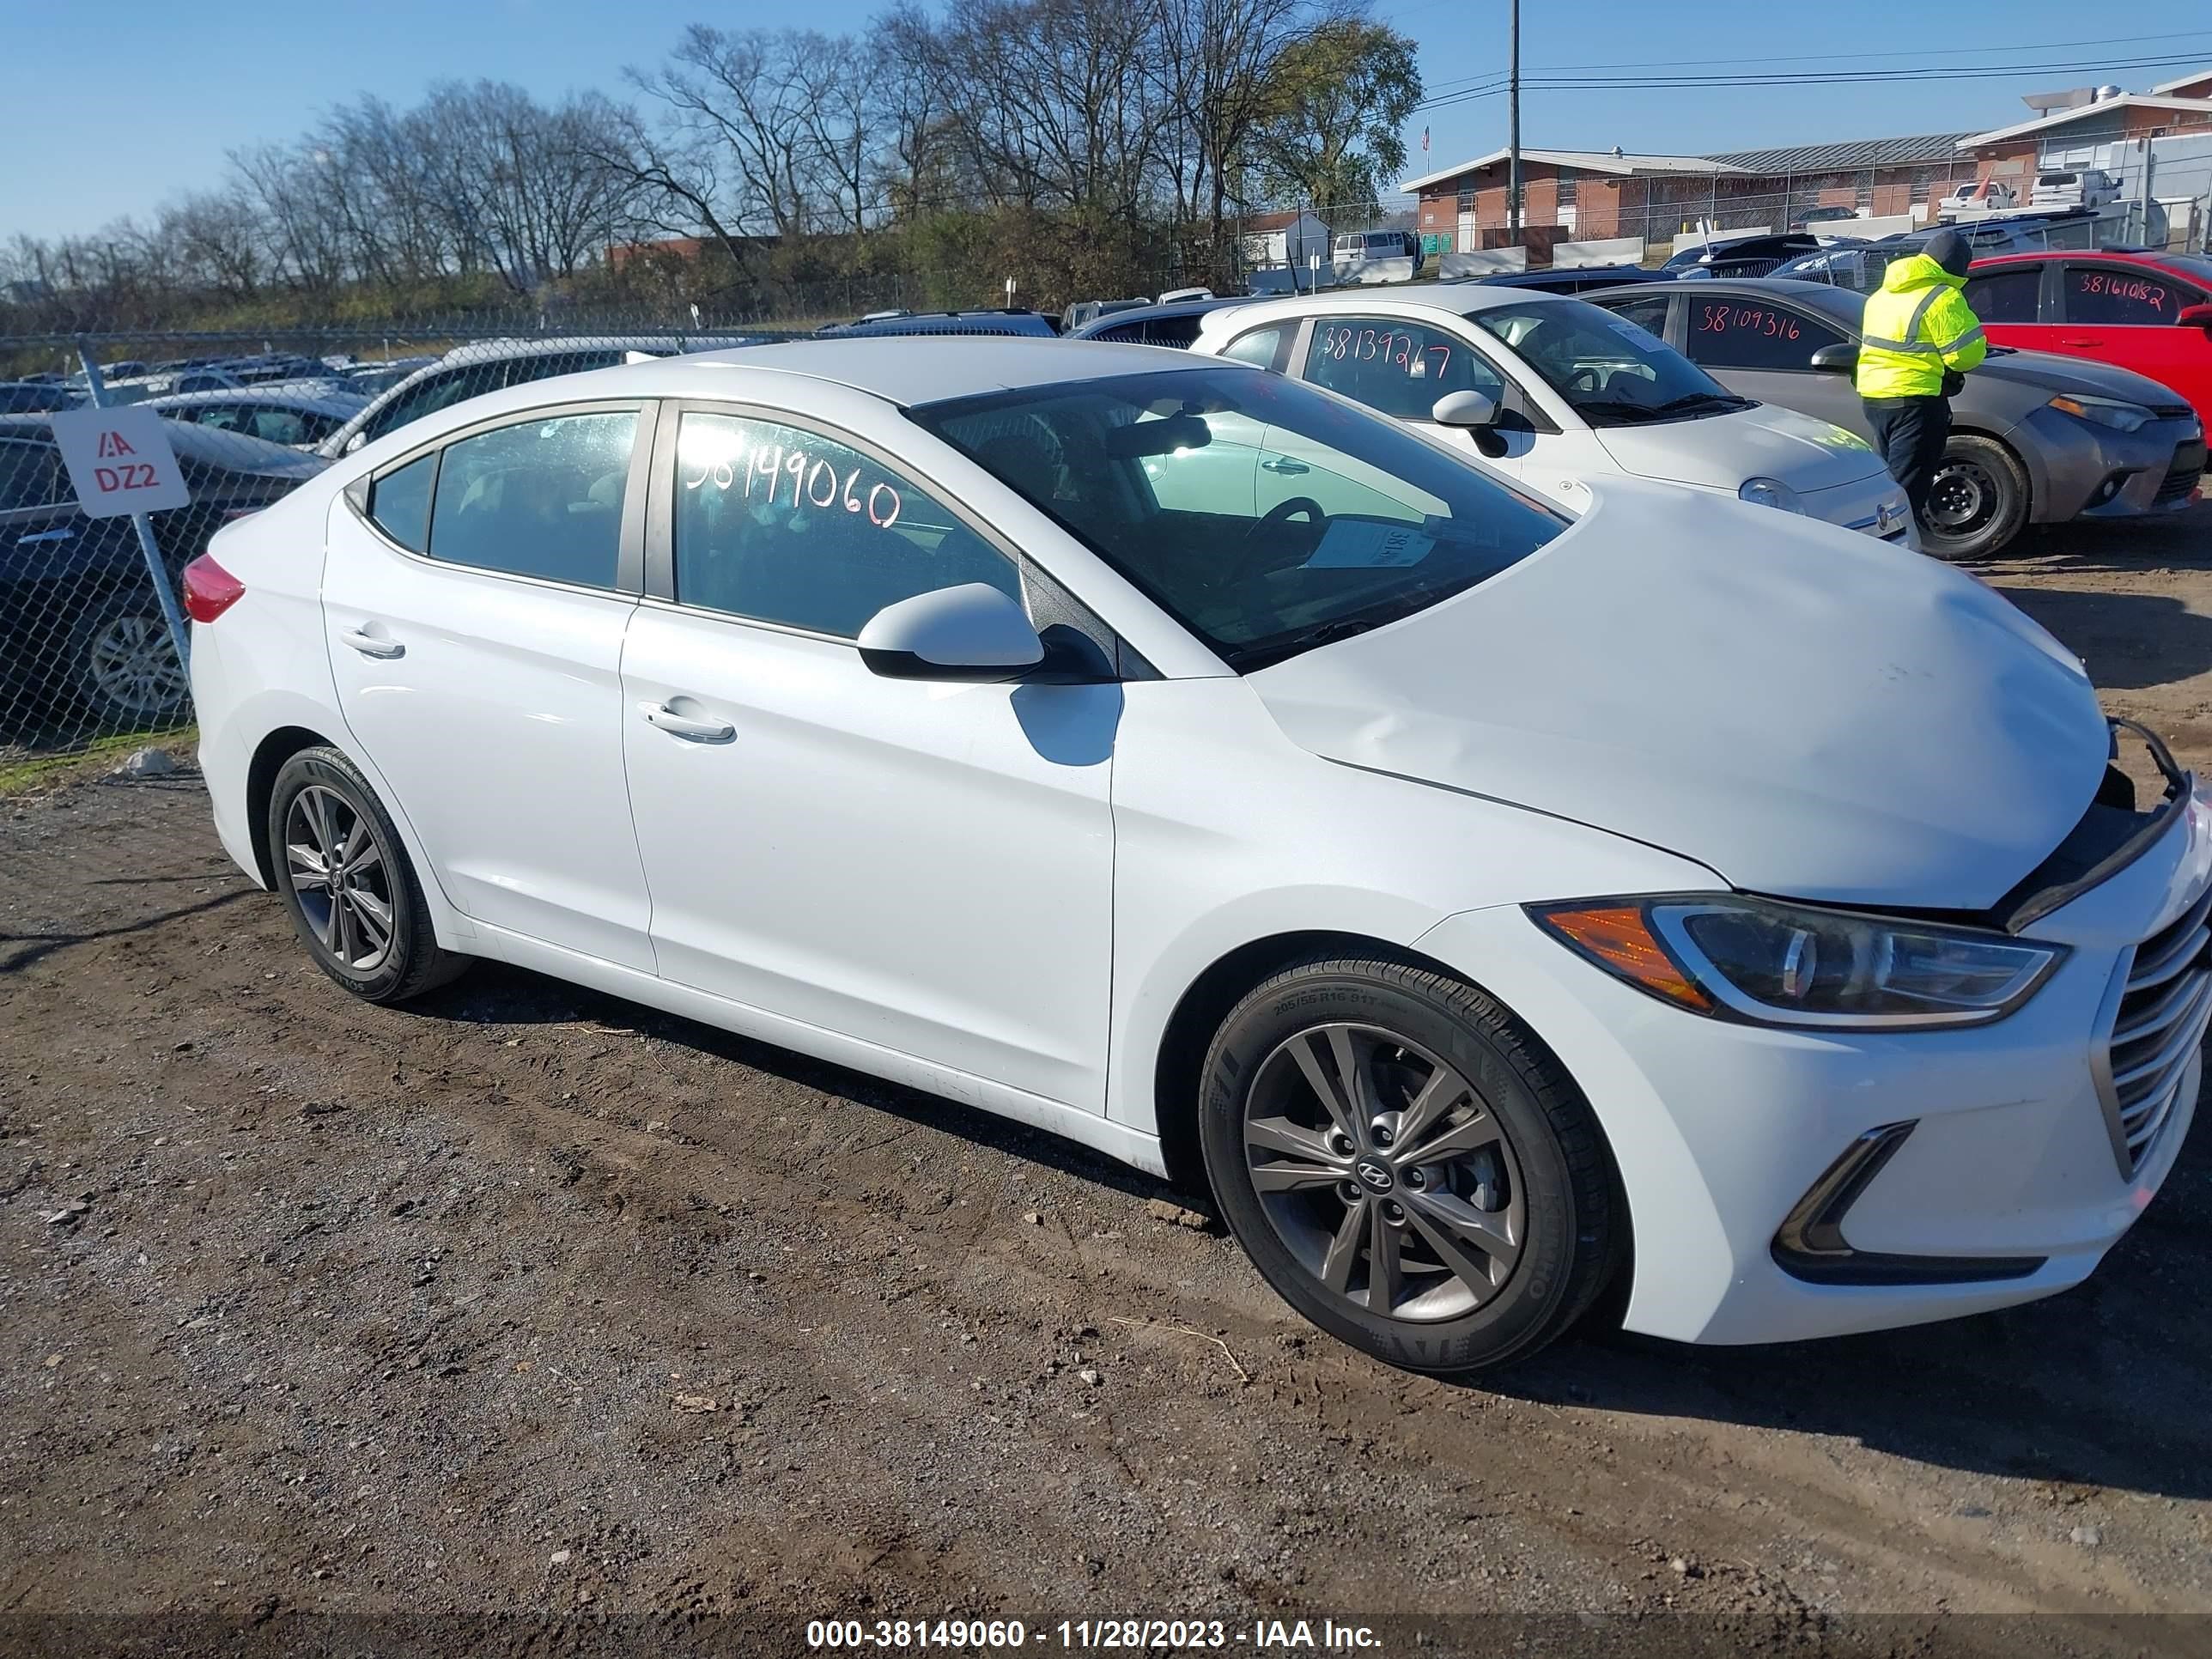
(1530, 1173)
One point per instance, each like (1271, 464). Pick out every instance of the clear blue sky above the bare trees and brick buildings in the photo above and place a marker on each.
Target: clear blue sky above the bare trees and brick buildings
(194, 83)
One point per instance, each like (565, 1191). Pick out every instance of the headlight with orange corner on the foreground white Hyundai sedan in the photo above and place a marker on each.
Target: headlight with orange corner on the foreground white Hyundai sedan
(1793, 966)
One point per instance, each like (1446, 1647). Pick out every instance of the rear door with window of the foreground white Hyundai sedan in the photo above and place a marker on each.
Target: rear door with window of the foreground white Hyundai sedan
(477, 596)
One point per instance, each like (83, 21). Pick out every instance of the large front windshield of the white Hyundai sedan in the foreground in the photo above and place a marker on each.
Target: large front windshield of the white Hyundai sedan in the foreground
(1262, 514)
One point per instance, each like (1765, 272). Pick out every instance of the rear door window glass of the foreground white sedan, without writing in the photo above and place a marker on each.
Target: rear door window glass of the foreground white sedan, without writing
(541, 499)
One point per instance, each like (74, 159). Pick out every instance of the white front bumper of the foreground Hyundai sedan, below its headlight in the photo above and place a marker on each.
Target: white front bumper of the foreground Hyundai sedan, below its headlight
(1729, 1138)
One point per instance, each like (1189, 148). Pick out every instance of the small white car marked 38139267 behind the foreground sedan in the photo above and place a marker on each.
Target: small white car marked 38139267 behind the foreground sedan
(1556, 395)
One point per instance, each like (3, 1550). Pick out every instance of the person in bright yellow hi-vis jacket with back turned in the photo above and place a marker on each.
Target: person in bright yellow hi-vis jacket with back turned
(1919, 342)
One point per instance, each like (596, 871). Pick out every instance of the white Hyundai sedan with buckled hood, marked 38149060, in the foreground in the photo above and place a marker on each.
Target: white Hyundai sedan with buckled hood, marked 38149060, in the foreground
(1488, 901)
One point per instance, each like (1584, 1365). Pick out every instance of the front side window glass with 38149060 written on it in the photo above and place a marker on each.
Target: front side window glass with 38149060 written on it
(784, 525)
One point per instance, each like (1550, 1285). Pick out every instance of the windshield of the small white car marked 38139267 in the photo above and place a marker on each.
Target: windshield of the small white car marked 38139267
(1609, 368)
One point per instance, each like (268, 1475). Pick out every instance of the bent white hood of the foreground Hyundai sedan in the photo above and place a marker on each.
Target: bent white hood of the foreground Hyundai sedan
(1806, 711)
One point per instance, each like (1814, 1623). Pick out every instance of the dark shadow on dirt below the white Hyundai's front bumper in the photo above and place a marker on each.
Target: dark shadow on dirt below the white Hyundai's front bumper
(2103, 1386)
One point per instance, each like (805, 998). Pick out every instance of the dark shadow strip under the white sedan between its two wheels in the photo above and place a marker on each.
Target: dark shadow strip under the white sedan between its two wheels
(501, 994)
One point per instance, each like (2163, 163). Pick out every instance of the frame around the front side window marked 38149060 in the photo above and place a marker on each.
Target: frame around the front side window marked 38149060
(1045, 598)
